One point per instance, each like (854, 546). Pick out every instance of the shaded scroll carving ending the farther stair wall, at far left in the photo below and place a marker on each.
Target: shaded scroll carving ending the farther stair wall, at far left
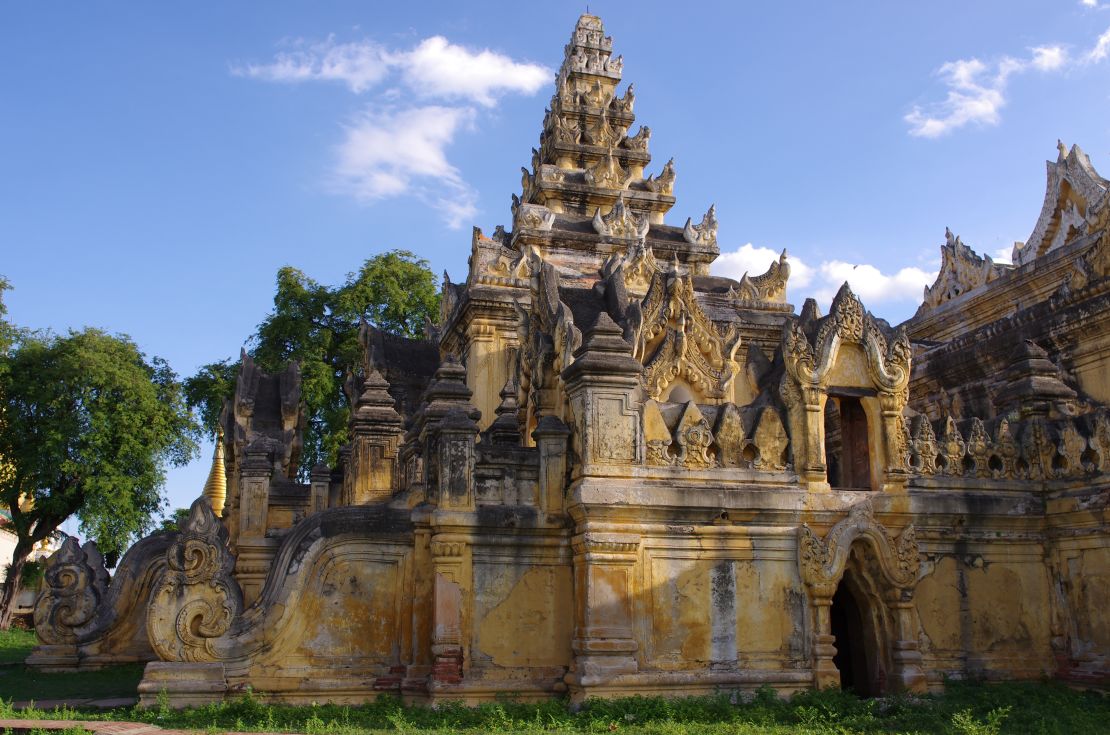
(75, 586)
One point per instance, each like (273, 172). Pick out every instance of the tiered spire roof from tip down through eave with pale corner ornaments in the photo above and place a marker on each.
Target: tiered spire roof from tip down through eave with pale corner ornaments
(588, 180)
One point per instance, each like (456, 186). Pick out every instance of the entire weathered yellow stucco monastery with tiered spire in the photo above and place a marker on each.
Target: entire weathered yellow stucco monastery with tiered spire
(611, 474)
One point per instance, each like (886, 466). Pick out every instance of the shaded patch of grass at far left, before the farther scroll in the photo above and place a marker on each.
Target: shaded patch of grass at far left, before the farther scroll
(19, 683)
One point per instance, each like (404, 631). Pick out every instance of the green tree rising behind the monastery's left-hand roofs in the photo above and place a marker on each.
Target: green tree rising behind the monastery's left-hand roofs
(318, 326)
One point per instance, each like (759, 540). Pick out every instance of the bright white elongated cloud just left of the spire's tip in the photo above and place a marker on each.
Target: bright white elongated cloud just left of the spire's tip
(438, 68)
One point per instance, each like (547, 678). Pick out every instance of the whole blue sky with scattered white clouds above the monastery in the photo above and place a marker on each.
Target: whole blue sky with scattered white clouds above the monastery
(162, 162)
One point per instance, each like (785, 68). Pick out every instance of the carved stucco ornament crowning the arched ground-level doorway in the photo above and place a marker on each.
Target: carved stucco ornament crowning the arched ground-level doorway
(822, 561)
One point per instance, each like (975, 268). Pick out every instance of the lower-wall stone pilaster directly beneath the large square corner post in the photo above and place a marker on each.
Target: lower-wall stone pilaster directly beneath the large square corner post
(604, 645)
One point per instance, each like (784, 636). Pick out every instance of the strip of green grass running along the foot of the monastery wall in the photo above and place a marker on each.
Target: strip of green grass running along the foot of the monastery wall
(963, 710)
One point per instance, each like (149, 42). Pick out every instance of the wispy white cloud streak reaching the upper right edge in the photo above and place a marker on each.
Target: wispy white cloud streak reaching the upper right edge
(977, 89)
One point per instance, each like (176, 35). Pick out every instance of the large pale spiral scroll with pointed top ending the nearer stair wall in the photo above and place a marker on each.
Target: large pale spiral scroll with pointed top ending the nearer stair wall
(198, 598)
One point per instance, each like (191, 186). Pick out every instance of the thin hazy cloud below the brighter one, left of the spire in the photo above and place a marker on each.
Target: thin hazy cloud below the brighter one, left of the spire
(390, 154)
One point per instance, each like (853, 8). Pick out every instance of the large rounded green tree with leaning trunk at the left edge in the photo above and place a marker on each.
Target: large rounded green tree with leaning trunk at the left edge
(88, 426)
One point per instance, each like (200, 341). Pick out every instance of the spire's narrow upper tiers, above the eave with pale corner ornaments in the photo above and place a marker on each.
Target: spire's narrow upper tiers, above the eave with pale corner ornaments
(588, 156)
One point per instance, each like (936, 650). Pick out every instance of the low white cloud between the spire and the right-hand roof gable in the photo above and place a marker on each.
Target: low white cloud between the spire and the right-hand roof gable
(822, 283)
